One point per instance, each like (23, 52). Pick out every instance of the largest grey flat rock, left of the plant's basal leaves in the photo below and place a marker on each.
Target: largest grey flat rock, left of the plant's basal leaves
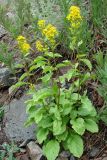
(14, 118)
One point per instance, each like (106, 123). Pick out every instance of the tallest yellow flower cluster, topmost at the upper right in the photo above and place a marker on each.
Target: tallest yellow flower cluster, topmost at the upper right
(74, 16)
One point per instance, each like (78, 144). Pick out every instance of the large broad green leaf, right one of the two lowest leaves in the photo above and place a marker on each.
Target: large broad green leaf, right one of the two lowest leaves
(75, 145)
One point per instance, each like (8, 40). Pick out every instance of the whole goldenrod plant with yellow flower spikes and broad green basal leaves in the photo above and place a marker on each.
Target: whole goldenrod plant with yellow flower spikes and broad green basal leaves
(62, 112)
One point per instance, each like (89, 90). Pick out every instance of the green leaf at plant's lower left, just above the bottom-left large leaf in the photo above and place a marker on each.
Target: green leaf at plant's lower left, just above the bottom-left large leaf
(42, 135)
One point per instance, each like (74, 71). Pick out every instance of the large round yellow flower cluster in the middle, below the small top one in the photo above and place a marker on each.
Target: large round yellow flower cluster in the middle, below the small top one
(50, 31)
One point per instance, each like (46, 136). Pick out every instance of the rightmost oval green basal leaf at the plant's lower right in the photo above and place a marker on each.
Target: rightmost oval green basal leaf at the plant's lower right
(91, 125)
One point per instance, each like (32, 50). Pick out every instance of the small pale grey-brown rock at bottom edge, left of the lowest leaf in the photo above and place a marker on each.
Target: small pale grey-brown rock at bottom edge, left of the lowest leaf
(35, 152)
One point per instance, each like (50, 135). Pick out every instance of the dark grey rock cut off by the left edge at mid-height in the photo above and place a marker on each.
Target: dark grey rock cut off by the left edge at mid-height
(5, 77)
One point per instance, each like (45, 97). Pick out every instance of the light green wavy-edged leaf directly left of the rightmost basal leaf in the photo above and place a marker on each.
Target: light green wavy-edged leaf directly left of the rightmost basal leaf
(78, 125)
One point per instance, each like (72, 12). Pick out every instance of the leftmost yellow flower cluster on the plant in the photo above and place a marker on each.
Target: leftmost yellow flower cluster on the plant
(23, 45)
